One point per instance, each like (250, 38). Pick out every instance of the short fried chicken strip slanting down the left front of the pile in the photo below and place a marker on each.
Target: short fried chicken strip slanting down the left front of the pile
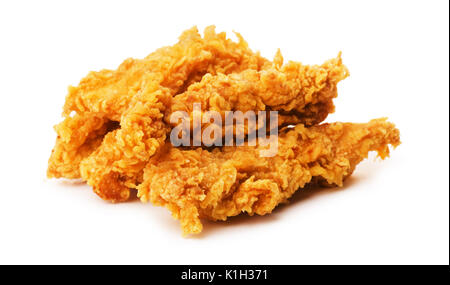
(113, 167)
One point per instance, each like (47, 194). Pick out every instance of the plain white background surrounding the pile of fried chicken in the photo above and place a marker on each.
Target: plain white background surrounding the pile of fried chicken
(391, 212)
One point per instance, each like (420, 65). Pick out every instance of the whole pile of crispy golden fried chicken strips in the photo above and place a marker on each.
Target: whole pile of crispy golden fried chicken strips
(115, 132)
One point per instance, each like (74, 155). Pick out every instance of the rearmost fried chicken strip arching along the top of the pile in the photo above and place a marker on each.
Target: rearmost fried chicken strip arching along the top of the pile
(105, 95)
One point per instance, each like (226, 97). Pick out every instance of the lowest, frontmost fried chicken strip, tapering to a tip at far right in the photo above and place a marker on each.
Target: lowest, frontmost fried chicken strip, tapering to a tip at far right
(201, 184)
